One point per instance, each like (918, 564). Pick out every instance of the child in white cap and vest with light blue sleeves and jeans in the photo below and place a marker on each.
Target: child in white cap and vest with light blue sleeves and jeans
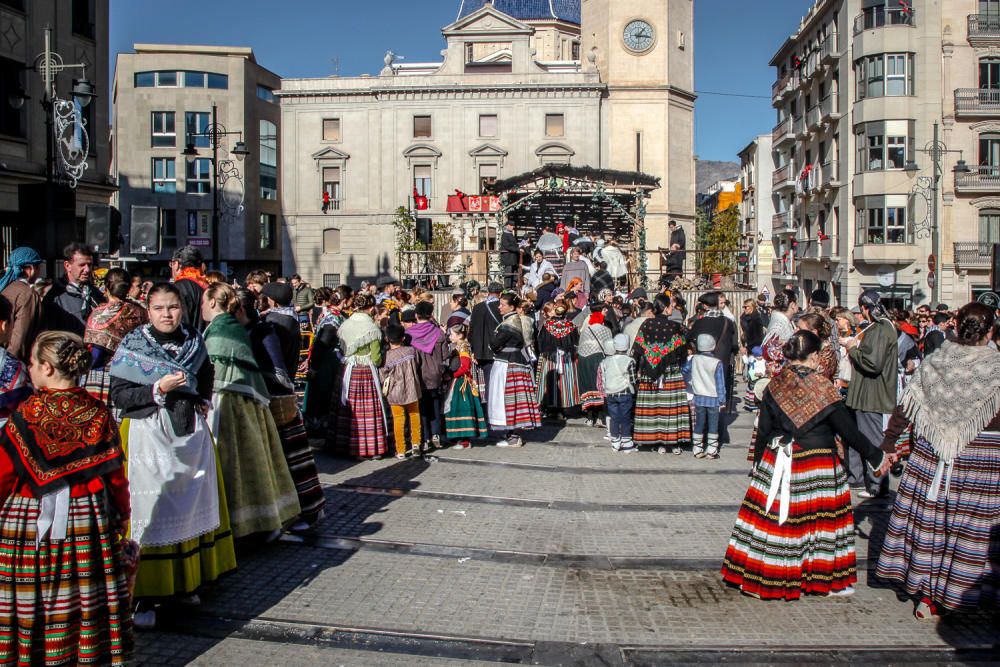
(706, 379)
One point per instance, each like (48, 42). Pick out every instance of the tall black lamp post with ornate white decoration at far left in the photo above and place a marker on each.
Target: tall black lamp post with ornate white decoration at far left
(66, 142)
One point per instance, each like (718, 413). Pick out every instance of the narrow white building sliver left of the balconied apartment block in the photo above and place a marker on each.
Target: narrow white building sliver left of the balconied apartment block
(757, 209)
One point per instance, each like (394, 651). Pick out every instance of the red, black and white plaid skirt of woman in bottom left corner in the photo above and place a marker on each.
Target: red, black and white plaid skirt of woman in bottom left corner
(63, 602)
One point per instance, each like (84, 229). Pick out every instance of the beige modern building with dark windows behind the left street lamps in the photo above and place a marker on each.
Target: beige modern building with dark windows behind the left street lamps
(164, 92)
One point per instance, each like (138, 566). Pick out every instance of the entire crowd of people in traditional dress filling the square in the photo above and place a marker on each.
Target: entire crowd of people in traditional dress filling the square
(152, 430)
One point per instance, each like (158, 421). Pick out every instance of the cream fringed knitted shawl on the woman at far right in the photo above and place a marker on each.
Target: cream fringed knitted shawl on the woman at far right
(953, 395)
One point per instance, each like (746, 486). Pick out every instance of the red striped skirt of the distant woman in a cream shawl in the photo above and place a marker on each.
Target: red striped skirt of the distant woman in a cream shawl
(361, 422)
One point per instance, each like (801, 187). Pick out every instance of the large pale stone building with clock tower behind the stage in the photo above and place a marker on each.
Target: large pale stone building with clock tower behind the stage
(521, 84)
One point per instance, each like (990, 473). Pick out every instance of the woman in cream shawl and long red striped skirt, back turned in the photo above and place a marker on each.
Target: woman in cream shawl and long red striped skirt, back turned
(362, 430)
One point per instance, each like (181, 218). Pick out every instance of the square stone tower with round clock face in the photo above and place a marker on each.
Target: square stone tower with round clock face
(643, 50)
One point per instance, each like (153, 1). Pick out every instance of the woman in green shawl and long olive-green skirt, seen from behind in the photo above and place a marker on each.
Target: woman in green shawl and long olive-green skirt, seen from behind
(259, 488)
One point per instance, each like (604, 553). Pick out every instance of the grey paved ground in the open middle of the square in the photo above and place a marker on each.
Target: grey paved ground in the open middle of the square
(560, 553)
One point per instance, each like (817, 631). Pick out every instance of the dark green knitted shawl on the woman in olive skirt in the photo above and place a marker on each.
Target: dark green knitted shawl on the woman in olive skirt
(236, 369)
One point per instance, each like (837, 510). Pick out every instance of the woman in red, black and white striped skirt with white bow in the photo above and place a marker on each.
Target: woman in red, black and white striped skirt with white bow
(795, 530)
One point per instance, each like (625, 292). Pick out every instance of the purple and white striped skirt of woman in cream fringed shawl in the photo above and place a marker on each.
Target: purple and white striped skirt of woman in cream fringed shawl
(943, 549)
